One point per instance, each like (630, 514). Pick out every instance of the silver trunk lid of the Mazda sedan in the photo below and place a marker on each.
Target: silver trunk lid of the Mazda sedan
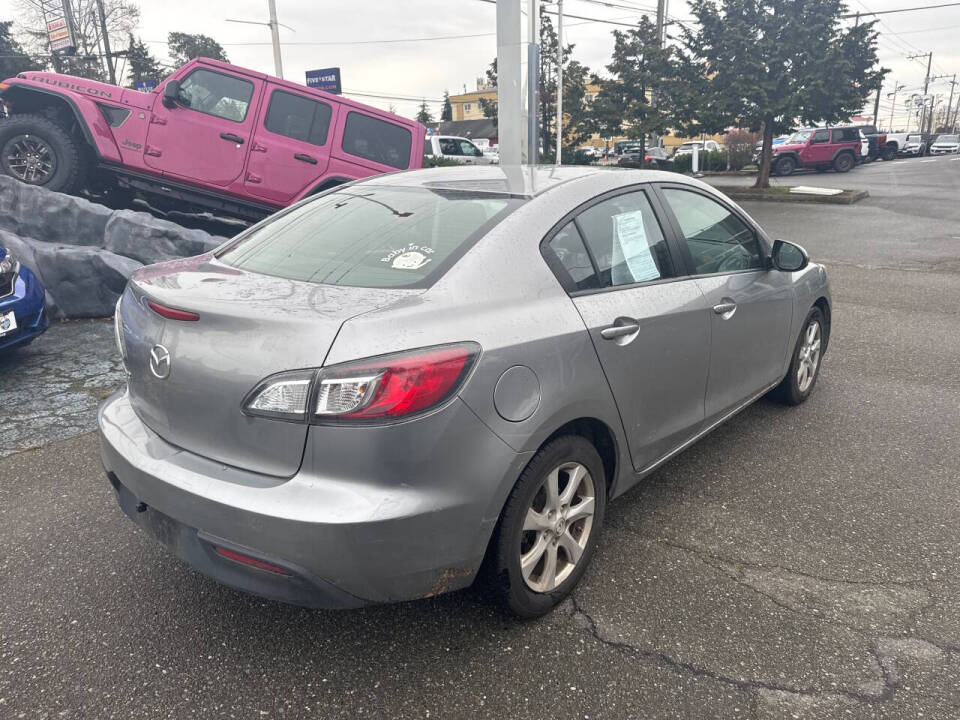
(250, 326)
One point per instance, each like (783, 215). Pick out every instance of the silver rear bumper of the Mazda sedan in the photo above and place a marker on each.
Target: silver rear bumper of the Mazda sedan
(340, 542)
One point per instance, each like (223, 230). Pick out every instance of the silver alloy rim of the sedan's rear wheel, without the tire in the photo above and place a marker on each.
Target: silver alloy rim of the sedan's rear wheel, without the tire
(556, 528)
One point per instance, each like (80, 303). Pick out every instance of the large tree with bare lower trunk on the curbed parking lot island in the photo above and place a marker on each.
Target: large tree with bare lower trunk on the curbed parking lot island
(769, 64)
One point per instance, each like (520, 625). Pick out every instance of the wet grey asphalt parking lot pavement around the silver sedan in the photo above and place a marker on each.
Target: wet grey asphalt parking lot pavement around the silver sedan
(797, 563)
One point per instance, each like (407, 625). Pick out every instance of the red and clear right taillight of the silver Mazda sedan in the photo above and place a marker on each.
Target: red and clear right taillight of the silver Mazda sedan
(375, 390)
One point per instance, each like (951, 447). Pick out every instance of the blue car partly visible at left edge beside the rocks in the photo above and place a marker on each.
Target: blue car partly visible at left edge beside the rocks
(23, 313)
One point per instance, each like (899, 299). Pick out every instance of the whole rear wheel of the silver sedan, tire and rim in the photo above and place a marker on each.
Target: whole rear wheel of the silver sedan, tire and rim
(549, 527)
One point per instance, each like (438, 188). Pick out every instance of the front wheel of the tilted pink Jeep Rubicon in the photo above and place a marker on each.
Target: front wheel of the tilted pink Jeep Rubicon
(37, 151)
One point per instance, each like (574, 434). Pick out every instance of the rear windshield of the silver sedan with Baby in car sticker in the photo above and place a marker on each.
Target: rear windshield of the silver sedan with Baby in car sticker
(362, 236)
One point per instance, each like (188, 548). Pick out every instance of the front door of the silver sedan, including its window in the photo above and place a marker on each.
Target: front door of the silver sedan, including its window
(751, 304)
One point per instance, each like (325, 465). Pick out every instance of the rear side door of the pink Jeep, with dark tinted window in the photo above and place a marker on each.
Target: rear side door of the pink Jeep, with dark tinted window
(290, 150)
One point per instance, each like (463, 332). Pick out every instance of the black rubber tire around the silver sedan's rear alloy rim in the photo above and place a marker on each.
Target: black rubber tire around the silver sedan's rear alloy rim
(502, 566)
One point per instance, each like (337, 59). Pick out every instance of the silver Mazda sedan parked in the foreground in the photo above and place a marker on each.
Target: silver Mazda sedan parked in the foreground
(388, 389)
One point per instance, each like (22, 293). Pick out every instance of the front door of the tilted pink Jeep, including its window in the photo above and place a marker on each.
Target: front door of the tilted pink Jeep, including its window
(205, 136)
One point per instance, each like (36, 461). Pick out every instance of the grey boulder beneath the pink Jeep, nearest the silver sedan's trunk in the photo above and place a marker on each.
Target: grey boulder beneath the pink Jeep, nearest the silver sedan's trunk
(150, 240)
